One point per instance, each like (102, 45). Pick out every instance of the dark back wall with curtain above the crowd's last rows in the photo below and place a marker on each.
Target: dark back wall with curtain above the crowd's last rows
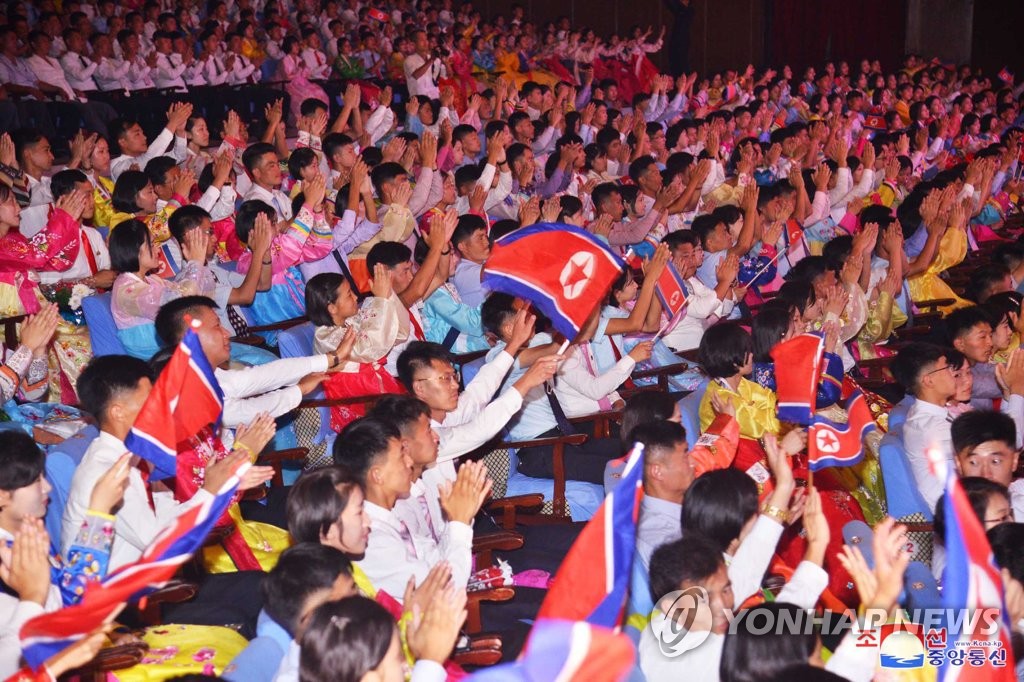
(734, 33)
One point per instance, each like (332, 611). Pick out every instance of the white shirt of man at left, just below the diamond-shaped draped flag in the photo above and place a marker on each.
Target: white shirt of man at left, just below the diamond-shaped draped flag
(137, 524)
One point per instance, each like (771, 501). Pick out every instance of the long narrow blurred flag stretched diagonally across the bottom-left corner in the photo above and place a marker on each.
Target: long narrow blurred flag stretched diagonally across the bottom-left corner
(49, 634)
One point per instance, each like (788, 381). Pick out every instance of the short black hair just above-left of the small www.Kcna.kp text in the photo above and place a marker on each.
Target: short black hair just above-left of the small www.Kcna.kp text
(302, 571)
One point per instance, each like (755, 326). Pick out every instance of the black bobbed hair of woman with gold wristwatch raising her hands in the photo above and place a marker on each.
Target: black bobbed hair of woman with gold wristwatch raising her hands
(718, 506)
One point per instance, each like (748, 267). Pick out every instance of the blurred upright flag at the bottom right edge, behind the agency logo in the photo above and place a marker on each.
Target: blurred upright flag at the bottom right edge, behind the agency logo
(971, 581)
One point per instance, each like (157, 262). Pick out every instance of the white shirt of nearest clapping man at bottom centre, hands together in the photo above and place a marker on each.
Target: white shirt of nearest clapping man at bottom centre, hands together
(397, 551)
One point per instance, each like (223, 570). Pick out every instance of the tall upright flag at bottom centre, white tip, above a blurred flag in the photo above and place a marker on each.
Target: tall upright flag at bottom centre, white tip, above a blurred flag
(593, 581)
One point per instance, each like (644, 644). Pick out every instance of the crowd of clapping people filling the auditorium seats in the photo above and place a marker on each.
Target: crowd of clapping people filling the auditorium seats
(248, 169)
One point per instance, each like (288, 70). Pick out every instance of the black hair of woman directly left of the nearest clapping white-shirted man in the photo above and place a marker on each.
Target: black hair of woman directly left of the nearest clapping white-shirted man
(316, 502)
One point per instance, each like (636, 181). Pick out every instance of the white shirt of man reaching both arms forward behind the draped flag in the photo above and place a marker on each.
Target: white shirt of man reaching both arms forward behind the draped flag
(272, 389)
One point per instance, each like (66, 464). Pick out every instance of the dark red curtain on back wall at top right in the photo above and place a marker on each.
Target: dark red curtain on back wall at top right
(810, 32)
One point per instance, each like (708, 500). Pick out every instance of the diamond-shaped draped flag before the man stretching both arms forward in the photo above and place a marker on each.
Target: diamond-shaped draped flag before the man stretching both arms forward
(186, 398)
